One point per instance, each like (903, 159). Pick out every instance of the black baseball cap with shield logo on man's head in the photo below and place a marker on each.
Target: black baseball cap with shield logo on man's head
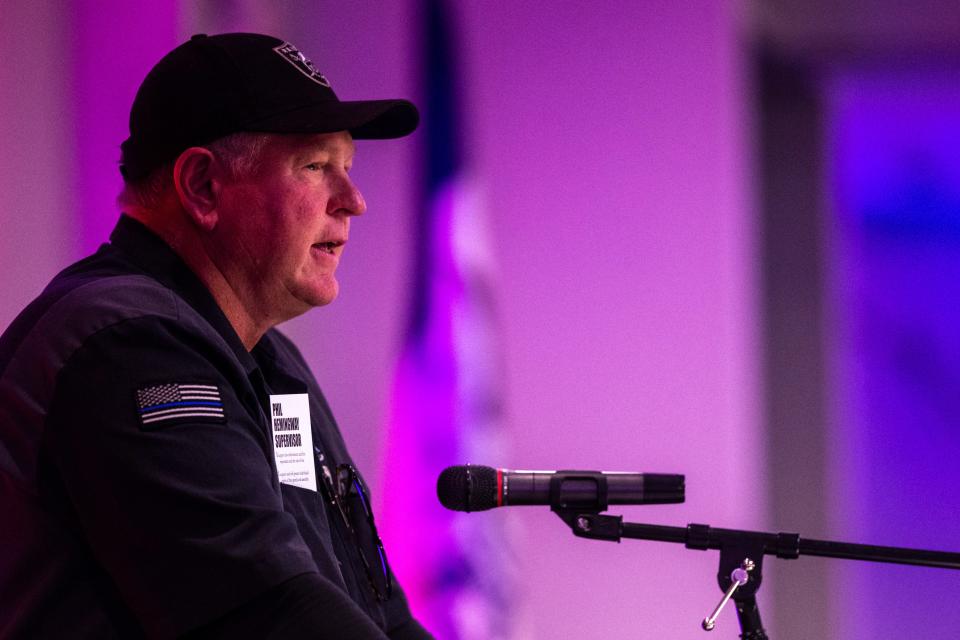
(212, 86)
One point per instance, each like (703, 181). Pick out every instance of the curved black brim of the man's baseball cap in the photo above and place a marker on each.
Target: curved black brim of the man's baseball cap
(364, 119)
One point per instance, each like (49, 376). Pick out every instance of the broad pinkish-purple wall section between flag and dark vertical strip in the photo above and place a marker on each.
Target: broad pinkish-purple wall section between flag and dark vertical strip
(613, 143)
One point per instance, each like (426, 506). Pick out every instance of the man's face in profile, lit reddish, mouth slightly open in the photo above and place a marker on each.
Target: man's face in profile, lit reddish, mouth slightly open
(282, 229)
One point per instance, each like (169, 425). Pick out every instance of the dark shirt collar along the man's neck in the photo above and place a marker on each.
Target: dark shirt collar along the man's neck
(150, 253)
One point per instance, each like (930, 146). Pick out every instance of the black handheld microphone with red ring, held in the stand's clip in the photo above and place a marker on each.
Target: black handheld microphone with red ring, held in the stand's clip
(478, 488)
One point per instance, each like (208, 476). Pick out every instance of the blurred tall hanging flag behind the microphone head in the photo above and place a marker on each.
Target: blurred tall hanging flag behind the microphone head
(447, 405)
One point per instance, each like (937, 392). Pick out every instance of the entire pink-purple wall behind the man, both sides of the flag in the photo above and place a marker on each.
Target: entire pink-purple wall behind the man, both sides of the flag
(613, 146)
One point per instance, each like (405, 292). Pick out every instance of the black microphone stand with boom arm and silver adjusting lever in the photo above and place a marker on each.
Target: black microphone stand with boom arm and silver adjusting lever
(741, 552)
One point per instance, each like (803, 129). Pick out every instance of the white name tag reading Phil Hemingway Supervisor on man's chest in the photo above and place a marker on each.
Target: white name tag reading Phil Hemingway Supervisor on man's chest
(293, 440)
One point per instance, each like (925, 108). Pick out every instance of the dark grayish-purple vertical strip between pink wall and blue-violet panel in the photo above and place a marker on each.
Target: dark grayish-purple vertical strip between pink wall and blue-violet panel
(792, 202)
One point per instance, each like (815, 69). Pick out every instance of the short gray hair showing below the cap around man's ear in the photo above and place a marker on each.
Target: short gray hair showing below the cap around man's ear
(239, 152)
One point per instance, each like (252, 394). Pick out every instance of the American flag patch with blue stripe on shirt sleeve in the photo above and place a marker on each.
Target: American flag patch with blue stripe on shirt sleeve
(174, 402)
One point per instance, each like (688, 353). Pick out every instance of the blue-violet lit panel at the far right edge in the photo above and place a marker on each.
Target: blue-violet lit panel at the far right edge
(896, 392)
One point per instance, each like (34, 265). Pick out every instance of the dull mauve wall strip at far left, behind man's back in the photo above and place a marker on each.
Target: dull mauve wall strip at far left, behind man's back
(36, 158)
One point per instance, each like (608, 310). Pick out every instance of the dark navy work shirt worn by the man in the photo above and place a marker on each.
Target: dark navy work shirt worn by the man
(115, 526)
